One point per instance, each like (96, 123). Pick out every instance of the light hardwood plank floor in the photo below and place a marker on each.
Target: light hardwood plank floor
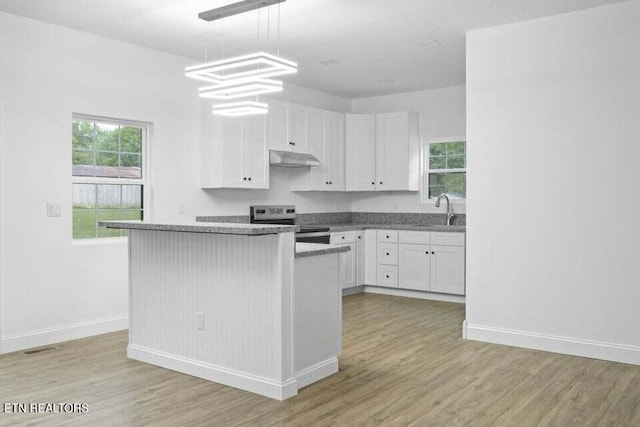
(404, 363)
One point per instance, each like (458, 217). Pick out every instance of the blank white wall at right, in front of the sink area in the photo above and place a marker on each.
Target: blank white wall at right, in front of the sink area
(554, 141)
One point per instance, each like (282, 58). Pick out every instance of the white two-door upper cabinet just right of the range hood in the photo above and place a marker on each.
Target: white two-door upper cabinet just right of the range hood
(326, 142)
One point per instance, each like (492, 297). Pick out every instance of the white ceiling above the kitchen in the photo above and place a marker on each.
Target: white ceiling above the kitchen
(350, 48)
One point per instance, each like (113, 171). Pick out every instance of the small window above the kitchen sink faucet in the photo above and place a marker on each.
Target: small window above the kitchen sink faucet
(445, 168)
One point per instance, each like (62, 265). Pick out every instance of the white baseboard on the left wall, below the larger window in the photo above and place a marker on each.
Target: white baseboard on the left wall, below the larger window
(17, 342)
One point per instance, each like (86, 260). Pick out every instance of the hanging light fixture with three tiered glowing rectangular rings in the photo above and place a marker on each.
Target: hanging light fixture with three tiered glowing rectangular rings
(241, 76)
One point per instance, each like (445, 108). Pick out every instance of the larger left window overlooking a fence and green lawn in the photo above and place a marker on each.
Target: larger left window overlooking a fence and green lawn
(108, 174)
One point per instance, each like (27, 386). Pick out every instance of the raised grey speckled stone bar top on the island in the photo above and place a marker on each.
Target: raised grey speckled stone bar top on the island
(201, 227)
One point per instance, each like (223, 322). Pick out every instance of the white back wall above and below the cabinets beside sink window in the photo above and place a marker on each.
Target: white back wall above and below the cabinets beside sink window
(442, 114)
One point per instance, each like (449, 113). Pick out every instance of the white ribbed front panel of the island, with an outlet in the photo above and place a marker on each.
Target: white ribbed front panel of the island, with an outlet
(242, 285)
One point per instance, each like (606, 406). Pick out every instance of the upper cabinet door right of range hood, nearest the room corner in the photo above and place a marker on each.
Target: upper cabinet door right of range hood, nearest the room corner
(334, 151)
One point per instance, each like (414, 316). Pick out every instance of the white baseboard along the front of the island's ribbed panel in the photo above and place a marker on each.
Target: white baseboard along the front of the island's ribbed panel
(241, 380)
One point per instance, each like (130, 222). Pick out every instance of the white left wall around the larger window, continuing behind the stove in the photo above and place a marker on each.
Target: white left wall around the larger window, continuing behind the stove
(51, 289)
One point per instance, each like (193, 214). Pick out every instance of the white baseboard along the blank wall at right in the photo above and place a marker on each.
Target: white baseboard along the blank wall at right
(565, 345)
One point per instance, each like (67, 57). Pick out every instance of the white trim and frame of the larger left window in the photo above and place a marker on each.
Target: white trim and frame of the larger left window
(147, 130)
